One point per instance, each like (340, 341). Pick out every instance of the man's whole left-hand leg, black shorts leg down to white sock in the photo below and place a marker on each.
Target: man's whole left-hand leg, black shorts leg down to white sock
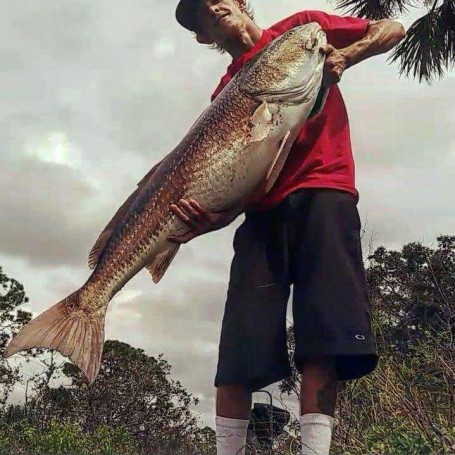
(252, 349)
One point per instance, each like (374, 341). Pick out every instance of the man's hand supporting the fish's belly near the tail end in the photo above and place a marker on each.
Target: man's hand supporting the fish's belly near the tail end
(199, 220)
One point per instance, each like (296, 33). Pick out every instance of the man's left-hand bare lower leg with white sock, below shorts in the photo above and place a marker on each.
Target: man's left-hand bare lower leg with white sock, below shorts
(233, 407)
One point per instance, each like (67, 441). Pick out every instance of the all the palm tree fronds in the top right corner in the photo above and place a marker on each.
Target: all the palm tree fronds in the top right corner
(428, 50)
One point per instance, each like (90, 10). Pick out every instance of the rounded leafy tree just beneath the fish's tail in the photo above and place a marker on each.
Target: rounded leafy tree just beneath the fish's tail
(133, 391)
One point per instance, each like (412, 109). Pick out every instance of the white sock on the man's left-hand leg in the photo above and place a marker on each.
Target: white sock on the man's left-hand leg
(230, 436)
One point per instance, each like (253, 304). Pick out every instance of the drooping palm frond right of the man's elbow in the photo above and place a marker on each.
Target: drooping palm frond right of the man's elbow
(423, 53)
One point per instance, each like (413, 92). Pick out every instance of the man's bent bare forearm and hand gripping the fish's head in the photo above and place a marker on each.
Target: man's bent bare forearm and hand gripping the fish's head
(381, 36)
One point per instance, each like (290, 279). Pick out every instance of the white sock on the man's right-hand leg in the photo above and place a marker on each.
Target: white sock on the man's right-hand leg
(316, 432)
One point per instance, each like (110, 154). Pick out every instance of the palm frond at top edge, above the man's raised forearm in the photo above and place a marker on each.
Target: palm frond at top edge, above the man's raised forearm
(374, 9)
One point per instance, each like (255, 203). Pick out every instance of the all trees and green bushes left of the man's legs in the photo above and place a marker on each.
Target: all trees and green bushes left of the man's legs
(133, 406)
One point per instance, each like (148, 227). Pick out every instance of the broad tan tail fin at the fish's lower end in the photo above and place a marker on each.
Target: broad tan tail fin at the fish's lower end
(67, 329)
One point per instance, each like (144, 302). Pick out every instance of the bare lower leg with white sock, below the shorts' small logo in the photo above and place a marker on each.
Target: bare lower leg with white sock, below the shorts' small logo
(318, 396)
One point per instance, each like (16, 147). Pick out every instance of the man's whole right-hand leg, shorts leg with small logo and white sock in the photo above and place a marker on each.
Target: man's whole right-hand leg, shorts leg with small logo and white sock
(331, 306)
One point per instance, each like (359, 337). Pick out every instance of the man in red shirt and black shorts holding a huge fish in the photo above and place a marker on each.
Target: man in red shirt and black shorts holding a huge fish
(305, 232)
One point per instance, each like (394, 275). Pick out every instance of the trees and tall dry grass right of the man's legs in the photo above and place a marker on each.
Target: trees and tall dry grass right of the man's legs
(407, 405)
